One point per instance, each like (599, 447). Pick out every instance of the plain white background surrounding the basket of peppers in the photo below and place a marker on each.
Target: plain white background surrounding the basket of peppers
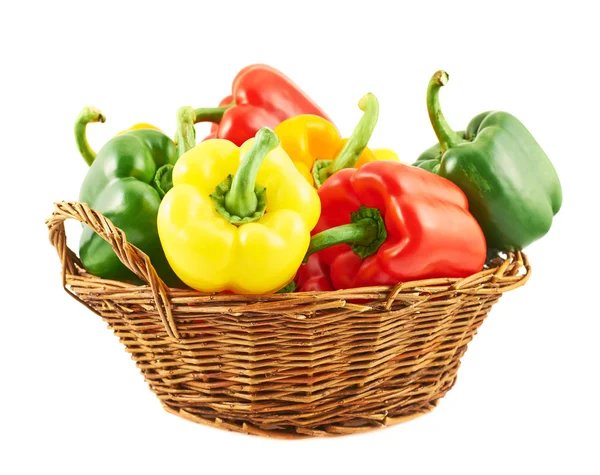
(73, 402)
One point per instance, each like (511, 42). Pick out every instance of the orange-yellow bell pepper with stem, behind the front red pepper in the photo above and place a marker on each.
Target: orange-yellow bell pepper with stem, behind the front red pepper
(318, 151)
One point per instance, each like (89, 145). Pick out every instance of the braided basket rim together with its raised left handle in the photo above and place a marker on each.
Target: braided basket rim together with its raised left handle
(502, 274)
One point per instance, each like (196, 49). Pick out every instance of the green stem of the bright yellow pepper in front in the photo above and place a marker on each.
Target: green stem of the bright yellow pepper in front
(241, 200)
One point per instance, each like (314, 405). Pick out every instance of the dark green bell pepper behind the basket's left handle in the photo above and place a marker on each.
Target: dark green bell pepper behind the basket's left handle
(126, 182)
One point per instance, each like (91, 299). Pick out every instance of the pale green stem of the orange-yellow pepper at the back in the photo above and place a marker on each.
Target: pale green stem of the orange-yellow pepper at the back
(359, 139)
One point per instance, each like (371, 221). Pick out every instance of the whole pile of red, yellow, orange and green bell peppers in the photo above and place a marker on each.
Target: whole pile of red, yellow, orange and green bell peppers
(276, 199)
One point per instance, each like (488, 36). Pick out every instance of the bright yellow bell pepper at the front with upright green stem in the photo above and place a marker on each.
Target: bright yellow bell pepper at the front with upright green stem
(237, 219)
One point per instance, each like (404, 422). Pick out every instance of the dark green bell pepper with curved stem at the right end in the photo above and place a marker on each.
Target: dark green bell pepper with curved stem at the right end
(512, 187)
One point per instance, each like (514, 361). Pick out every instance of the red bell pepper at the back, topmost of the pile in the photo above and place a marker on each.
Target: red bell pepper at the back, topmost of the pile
(261, 96)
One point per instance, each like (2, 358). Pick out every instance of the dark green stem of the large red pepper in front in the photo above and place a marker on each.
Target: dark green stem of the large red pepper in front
(365, 234)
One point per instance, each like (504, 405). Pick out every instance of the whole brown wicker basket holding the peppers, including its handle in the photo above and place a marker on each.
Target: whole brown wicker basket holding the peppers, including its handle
(288, 365)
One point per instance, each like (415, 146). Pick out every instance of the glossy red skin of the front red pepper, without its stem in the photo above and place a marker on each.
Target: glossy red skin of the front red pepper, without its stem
(430, 232)
